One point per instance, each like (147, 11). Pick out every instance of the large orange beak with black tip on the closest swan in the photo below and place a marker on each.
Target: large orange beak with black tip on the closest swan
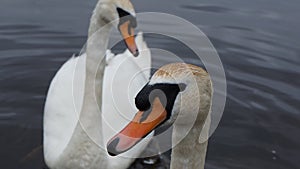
(141, 125)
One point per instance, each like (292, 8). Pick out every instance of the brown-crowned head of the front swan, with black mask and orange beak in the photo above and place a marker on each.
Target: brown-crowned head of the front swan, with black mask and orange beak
(172, 96)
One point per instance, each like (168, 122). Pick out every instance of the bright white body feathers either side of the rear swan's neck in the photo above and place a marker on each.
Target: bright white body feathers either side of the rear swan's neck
(122, 80)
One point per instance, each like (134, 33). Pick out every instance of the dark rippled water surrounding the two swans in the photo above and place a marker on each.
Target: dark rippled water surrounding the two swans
(258, 43)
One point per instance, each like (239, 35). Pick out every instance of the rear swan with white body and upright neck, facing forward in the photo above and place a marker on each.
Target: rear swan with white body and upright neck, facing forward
(73, 133)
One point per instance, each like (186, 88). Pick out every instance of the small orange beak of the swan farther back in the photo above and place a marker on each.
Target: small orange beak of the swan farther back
(127, 32)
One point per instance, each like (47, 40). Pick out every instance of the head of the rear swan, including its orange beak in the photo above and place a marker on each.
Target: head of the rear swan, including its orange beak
(121, 14)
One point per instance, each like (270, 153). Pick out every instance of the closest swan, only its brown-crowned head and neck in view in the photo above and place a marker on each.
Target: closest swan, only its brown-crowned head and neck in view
(178, 94)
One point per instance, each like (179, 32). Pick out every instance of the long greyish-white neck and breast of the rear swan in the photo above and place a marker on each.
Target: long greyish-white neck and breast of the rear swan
(87, 136)
